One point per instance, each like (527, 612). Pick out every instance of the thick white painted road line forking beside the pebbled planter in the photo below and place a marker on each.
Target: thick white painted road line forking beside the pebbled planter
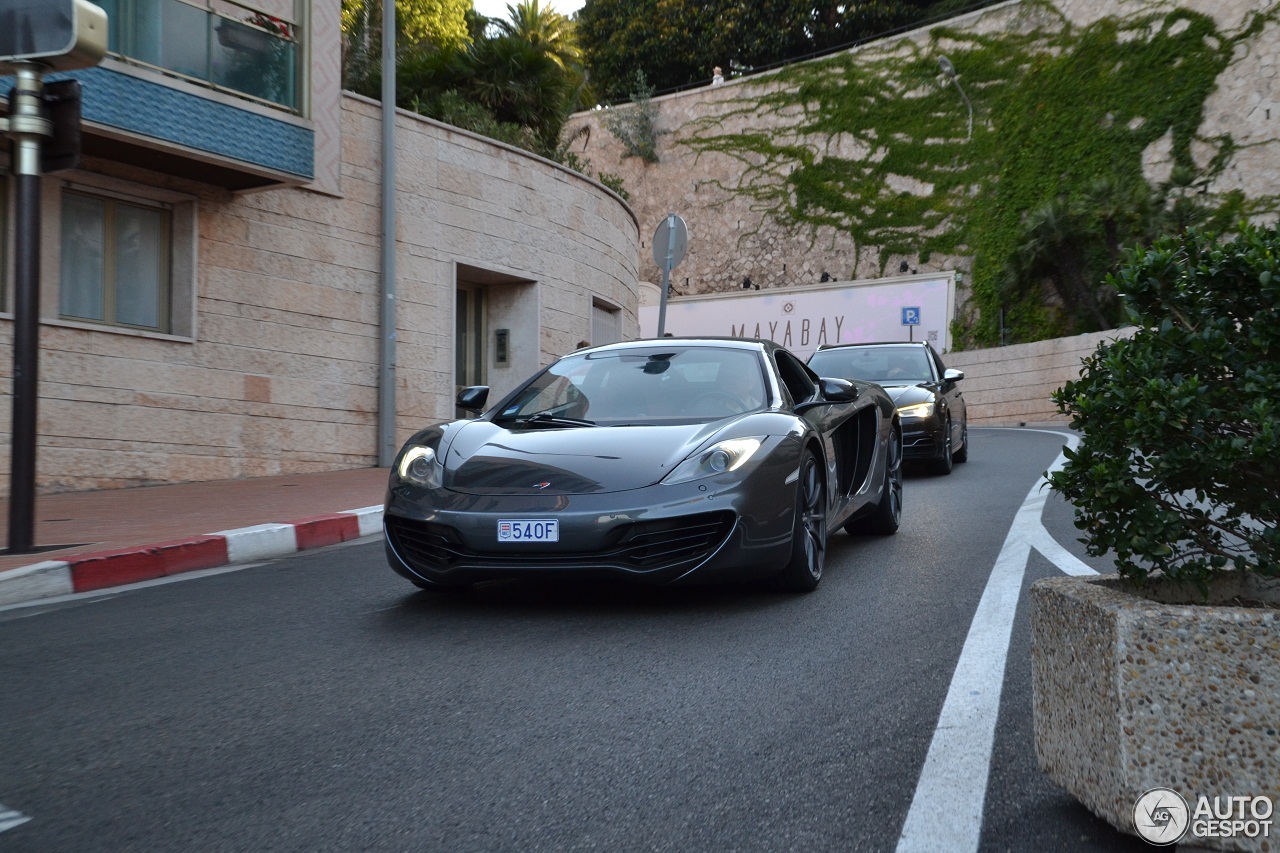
(947, 811)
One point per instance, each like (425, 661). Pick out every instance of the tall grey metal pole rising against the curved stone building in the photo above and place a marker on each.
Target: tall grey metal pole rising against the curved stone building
(387, 354)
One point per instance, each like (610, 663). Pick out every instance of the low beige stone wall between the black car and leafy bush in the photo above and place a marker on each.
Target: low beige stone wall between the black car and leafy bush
(1012, 385)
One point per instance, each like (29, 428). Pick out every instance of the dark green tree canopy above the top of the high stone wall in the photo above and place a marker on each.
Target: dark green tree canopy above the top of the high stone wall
(678, 43)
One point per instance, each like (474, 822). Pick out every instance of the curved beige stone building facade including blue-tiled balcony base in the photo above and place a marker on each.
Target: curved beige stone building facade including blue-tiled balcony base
(266, 359)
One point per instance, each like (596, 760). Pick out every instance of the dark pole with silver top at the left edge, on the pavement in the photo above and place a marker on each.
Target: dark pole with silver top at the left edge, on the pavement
(29, 129)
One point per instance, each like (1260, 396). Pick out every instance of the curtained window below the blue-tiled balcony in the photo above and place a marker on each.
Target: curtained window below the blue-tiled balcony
(116, 262)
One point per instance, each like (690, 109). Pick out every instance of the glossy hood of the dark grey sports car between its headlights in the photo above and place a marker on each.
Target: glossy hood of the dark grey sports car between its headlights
(486, 459)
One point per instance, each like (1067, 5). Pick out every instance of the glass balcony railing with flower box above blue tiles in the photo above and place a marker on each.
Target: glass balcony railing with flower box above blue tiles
(222, 44)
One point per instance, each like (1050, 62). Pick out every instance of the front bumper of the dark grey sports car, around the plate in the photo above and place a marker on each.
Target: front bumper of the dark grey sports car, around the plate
(715, 530)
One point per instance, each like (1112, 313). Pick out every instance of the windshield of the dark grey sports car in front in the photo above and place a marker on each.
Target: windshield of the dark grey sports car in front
(664, 385)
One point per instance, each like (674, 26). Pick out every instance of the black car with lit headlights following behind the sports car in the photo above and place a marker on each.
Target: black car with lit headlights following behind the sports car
(935, 419)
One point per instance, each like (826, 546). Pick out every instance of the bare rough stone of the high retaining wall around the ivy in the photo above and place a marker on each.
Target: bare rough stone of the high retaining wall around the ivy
(733, 236)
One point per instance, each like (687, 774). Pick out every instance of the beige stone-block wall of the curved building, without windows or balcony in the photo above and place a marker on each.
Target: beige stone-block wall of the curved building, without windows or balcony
(281, 375)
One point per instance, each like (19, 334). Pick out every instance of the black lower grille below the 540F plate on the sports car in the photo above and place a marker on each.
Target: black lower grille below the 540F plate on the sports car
(646, 546)
